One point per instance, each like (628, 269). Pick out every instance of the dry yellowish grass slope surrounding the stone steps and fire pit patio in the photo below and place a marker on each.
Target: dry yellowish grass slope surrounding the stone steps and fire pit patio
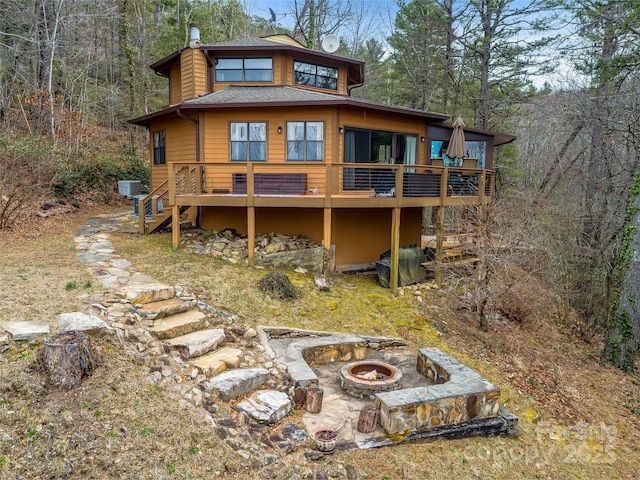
(576, 414)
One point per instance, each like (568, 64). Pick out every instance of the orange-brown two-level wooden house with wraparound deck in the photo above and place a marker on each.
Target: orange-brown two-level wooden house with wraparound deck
(262, 135)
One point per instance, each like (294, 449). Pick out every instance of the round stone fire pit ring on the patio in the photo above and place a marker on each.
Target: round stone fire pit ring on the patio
(366, 378)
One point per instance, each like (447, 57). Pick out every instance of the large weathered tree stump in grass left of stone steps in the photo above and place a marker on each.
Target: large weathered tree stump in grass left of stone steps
(68, 357)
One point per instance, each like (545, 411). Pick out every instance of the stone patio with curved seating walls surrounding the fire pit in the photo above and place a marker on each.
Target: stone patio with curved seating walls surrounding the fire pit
(440, 397)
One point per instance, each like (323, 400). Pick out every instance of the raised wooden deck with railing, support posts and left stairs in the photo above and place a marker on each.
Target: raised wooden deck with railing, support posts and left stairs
(316, 185)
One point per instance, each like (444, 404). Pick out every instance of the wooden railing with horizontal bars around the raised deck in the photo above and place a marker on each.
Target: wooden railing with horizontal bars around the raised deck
(399, 184)
